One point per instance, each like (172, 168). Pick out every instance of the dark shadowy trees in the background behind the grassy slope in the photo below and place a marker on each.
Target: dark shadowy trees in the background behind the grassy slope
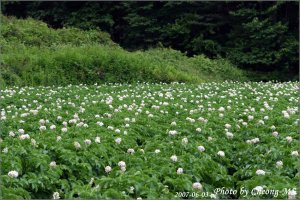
(254, 35)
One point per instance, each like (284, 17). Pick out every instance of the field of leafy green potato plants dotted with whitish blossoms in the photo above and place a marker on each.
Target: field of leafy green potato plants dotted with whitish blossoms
(137, 141)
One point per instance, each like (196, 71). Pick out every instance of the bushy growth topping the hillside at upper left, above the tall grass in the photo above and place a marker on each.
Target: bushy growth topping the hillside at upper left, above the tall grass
(31, 32)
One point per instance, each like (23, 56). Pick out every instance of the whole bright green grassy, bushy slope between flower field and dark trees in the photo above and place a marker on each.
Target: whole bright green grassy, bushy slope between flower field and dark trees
(33, 54)
